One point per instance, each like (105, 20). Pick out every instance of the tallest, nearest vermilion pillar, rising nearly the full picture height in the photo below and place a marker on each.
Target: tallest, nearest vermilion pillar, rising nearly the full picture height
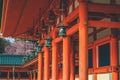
(83, 42)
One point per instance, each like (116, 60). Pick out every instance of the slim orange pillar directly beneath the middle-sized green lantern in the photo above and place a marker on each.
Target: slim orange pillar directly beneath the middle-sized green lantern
(46, 63)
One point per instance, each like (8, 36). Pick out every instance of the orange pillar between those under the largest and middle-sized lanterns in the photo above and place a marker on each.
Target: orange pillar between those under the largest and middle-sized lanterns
(54, 61)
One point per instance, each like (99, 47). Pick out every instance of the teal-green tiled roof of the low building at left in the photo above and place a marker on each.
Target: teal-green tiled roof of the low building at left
(10, 60)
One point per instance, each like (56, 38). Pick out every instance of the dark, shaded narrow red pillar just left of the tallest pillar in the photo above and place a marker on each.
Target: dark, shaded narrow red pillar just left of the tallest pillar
(72, 63)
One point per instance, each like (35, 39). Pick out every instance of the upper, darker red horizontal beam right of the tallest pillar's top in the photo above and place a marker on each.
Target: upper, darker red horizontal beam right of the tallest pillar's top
(104, 8)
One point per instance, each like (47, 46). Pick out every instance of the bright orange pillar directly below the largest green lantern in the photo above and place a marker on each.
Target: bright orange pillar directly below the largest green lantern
(66, 71)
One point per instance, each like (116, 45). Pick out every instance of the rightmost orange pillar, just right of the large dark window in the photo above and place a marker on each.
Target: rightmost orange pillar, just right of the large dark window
(114, 58)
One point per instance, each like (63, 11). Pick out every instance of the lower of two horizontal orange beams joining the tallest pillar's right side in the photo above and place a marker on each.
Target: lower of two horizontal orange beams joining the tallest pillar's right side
(103, 24)
